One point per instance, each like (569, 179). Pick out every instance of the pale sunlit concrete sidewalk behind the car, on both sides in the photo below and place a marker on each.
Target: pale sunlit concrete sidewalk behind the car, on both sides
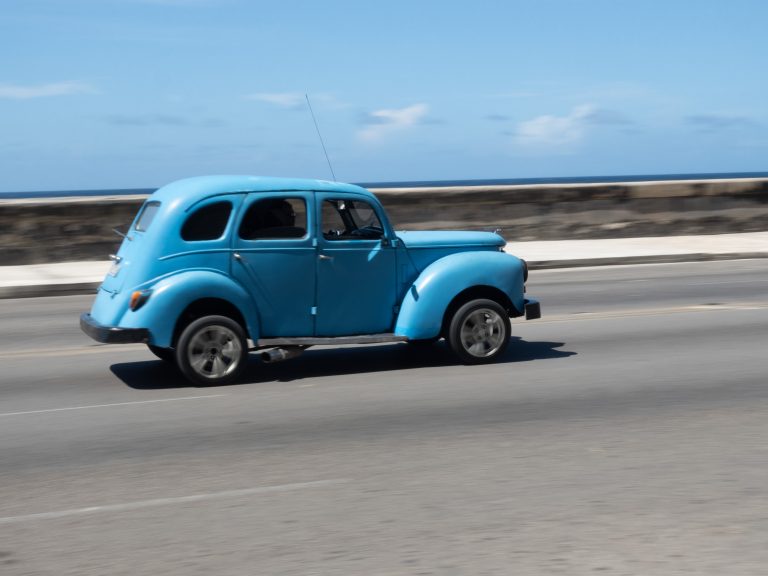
(84, 277)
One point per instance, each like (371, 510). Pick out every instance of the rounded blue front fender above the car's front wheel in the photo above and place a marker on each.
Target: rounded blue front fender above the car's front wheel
(422, 310)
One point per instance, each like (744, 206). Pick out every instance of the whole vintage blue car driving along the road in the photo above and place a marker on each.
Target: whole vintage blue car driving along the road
(216, 266)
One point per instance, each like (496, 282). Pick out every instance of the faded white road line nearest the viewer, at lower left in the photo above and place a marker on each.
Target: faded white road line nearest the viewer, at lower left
(127, 506)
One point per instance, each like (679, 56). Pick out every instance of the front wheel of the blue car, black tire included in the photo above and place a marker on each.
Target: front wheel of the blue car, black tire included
(479, 331)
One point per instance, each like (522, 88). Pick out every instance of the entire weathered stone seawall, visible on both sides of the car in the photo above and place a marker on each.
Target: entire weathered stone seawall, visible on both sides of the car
(57, 230)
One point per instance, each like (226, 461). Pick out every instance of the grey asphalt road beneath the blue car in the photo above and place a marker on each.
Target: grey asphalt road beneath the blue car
(623, 433)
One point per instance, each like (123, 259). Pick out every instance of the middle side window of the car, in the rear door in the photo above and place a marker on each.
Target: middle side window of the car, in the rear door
(275, 218)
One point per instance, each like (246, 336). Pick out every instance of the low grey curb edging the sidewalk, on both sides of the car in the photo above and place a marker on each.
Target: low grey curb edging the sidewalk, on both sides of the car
(83, 288)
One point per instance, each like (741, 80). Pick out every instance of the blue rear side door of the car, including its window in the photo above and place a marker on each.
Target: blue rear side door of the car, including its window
(275, 258)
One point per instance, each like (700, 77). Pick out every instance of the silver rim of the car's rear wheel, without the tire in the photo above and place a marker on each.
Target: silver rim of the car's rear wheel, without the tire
(214, 352)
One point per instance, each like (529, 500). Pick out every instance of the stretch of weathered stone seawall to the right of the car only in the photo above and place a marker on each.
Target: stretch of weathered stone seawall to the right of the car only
(545, 212)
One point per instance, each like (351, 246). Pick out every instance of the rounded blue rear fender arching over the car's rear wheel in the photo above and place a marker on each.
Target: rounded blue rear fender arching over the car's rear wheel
(172, 294)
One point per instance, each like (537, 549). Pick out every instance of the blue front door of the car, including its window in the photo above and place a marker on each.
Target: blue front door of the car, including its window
(356, 269)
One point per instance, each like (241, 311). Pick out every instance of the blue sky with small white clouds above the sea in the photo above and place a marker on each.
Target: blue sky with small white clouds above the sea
(136, 93)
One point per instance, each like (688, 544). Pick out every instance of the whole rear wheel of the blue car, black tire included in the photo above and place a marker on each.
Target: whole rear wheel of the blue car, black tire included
(212, 350)
